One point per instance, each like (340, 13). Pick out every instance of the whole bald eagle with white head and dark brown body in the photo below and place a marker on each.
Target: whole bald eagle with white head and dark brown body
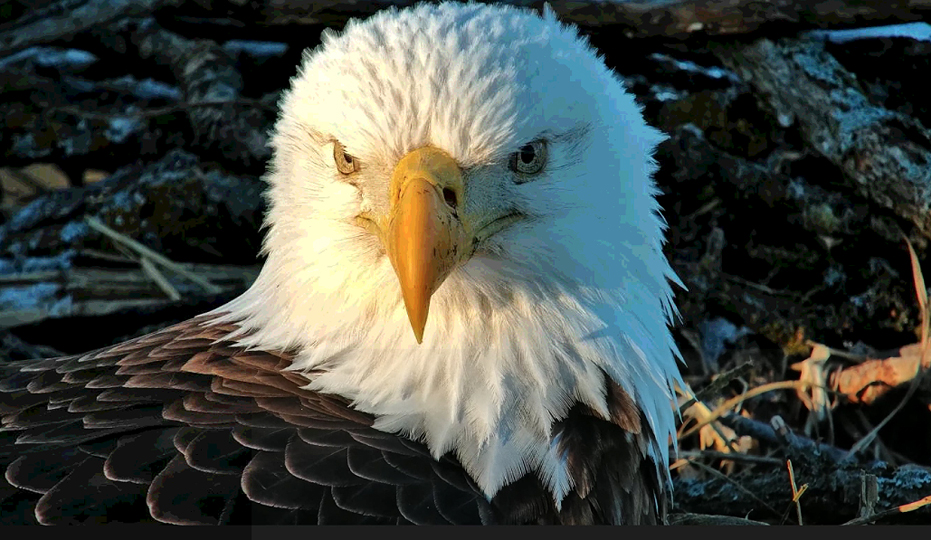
(463, 316)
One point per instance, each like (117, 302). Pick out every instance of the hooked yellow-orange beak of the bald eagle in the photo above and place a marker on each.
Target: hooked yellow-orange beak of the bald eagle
(425, 237)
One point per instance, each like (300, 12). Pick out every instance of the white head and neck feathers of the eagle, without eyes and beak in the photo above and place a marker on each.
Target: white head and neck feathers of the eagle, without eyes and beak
(526, 327)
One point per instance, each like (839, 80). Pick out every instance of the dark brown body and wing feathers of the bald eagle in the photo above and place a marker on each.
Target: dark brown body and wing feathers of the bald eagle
(175, 428)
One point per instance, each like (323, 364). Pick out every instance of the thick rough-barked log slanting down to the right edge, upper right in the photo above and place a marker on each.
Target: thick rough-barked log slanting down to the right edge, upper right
(884, 155)
